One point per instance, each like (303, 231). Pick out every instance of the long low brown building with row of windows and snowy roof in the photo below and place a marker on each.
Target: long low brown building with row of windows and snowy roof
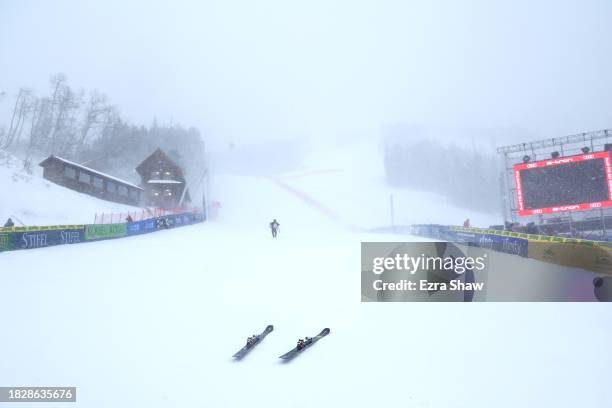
(89, 181)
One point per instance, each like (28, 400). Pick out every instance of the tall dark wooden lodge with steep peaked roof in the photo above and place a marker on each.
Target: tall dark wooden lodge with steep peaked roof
(163, 181)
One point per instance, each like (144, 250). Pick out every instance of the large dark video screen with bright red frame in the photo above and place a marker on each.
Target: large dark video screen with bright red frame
(573, 183)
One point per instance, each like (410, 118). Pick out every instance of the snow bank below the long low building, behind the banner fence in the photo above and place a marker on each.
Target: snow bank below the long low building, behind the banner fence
(32, 200)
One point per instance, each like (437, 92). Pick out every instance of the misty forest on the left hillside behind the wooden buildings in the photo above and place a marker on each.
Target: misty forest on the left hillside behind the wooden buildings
(86, 127)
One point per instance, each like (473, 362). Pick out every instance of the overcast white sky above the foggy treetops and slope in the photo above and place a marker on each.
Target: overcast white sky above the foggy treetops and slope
(243, 70)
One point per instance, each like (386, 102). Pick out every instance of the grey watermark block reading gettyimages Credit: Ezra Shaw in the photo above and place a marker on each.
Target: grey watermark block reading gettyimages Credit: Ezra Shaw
(421, 271)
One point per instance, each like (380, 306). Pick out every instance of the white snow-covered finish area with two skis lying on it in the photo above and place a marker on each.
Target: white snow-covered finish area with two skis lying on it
(152, 321)
